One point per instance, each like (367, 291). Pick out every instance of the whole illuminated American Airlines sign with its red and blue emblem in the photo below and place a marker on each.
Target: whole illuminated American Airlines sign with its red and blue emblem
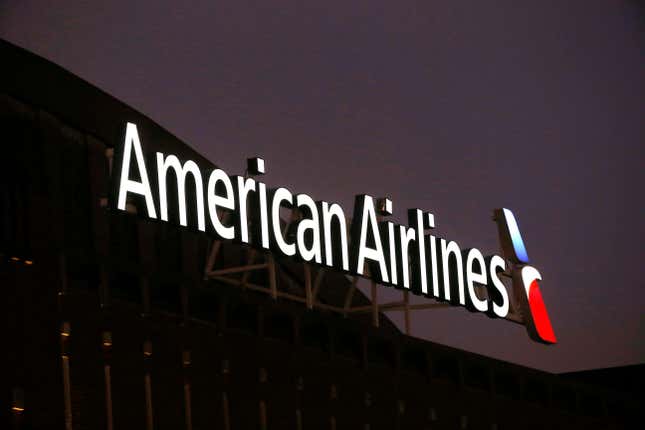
(409, 258)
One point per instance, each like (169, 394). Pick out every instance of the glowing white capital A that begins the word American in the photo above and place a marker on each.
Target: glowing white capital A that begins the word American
(126, 185)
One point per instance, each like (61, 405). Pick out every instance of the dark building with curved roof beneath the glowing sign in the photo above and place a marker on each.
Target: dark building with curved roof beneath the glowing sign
(112, 324)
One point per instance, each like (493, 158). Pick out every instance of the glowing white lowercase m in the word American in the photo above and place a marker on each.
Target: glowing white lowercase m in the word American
(191, 167)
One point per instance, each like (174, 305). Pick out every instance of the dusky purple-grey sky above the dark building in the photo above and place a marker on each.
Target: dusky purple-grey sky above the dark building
(456, 107)
